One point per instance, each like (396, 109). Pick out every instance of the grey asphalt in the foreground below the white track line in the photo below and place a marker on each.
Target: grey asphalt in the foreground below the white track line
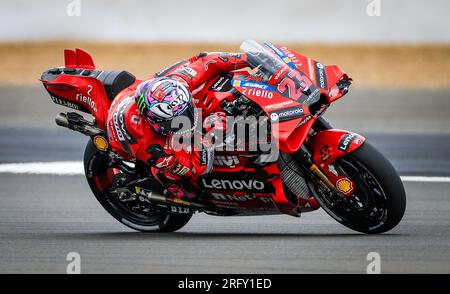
(43, 218)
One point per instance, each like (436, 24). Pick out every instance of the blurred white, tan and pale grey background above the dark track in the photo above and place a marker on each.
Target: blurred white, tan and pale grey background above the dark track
(397, 52)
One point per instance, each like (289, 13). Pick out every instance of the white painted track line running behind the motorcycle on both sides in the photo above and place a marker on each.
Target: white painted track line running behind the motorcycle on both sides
(76, 168)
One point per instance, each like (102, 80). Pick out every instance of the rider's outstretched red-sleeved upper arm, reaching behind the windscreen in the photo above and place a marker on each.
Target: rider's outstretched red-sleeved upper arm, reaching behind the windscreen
(204, 66)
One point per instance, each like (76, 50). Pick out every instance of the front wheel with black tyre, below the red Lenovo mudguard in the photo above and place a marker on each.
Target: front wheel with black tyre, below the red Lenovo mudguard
(378, 202)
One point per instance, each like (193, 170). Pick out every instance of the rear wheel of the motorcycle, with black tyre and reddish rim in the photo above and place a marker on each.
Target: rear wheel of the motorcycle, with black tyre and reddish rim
(135, 214)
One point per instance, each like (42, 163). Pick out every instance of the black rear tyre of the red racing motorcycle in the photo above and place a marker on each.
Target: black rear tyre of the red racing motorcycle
(96, 164)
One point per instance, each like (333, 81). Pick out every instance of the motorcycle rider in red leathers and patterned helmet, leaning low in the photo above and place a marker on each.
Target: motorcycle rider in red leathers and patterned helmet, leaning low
(140, 119)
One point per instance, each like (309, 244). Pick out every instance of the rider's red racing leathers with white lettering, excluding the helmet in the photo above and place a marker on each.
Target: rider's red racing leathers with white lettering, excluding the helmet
(132, 136)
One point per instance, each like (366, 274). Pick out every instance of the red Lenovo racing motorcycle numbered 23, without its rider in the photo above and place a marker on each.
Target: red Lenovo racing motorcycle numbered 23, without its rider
(315, 166)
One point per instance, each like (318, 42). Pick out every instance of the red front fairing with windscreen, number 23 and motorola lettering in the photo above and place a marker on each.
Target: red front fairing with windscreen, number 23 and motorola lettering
(298, 88)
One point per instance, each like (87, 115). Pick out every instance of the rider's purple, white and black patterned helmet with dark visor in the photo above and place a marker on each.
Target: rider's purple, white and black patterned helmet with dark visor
(163, 99)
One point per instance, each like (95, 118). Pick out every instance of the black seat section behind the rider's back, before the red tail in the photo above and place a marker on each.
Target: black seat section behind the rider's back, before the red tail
(115, 81)
